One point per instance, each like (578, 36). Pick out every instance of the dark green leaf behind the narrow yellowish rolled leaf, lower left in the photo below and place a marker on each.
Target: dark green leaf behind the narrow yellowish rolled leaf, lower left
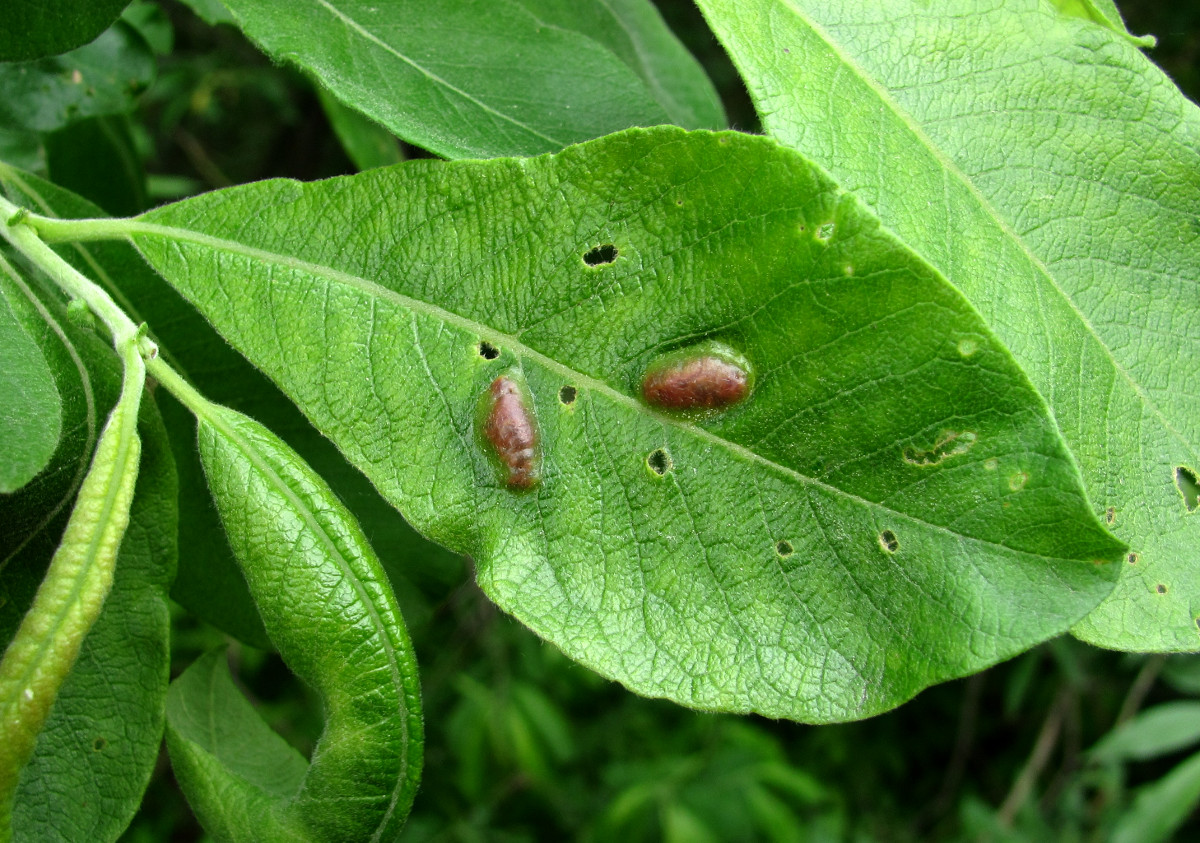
(98, 749)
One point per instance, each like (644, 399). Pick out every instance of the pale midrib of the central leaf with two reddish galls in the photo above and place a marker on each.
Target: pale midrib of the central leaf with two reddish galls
(134, 228)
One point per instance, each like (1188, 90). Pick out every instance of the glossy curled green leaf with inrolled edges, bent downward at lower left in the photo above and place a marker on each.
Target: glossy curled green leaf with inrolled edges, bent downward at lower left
(327, 606)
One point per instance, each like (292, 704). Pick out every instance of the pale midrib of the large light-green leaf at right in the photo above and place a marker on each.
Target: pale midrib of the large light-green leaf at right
(949, 165)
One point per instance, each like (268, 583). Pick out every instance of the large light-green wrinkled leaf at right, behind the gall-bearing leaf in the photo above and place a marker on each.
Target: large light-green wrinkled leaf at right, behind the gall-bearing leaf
(1053, 175)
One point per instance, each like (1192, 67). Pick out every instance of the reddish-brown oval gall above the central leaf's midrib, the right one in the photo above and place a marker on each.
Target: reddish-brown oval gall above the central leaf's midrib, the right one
(707, 378)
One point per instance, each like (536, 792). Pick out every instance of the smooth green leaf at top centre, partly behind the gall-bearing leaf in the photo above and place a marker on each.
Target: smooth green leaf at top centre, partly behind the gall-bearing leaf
(478, 79)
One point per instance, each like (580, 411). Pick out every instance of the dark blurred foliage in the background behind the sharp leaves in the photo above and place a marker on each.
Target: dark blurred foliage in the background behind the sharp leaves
(1066, 743)
